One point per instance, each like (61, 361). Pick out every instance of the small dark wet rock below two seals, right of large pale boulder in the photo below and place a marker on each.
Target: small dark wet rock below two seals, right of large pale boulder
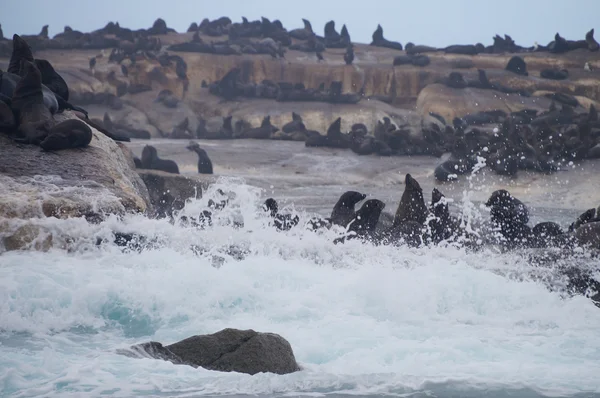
(169, 192)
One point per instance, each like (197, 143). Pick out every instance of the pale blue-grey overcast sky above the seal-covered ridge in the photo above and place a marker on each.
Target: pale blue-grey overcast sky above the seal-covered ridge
(432, 22)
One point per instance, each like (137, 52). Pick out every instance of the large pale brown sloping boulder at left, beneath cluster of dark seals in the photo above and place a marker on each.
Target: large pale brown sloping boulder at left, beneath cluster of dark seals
(88, 182)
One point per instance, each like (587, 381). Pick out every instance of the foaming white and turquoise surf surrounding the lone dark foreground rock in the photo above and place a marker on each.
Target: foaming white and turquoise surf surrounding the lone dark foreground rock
(362, 320)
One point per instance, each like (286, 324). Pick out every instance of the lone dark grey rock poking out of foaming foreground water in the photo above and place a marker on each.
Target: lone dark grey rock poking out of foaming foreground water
(229, 350)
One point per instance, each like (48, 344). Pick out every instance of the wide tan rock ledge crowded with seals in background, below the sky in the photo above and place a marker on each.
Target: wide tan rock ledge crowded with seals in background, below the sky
(223, 80)
